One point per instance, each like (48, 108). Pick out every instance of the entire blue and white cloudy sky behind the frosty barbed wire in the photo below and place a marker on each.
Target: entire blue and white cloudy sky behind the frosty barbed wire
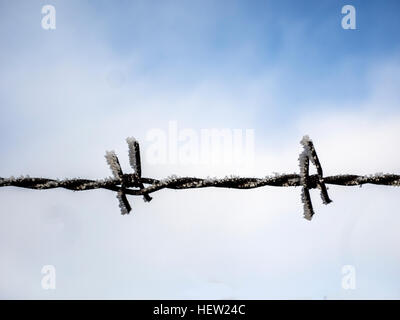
(116, 69)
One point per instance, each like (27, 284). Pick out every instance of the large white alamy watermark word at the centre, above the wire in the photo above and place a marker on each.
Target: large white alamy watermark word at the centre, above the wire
(204, 146)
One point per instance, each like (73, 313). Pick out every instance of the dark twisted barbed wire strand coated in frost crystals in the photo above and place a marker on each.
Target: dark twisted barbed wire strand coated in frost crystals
(134, 184)
